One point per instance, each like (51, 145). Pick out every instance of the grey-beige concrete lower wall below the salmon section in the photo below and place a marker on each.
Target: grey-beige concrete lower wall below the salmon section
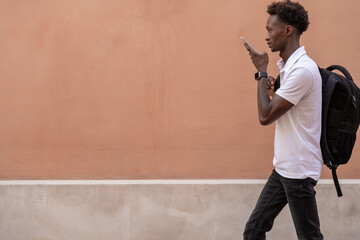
(158, 212)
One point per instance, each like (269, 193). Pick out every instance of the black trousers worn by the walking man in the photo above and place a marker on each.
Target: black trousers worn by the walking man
(277, 192)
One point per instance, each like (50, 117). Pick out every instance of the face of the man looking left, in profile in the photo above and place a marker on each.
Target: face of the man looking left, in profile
(276, 33)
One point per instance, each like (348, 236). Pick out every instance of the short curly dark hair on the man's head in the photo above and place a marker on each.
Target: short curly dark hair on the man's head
(291, 13)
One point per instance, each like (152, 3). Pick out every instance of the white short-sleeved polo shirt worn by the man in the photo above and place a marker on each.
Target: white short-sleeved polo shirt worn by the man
(297, 152)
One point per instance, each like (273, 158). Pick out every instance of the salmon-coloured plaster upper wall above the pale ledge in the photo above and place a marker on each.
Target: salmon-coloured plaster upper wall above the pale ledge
(115, 89)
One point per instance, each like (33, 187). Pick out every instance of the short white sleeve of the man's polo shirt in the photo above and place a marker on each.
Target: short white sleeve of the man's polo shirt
(297, 85)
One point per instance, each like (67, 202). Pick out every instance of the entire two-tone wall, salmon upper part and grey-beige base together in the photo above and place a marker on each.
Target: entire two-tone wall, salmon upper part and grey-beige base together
(149, 89)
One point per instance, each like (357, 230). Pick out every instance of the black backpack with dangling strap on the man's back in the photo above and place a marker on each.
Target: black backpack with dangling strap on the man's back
(340, 117)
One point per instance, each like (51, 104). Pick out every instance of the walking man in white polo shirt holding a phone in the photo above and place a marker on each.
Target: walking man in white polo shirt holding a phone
(296, 108)
